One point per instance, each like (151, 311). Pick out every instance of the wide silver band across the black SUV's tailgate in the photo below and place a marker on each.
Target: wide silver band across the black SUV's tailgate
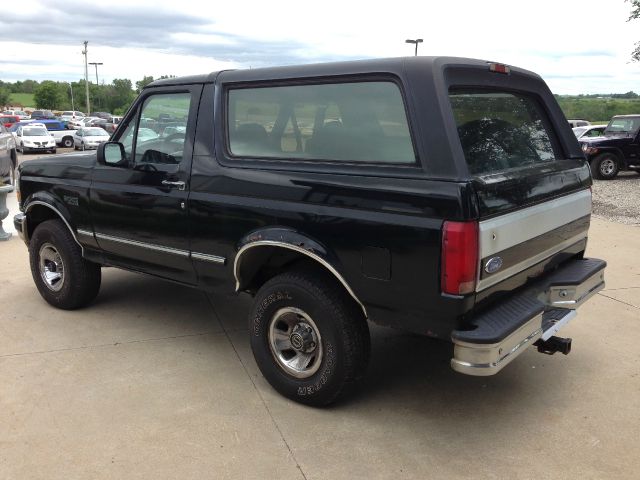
(506, 231)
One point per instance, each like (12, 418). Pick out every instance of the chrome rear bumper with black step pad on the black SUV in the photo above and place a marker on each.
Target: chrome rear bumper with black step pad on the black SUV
(496, 337)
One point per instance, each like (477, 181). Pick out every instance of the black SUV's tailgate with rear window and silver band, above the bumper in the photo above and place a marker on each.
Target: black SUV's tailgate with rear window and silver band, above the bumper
(534, 203)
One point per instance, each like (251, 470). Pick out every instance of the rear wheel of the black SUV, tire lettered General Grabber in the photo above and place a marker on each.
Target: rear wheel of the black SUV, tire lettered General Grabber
(312, 305)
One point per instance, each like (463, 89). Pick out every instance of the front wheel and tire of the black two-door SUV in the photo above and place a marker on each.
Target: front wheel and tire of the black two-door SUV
(54, 252)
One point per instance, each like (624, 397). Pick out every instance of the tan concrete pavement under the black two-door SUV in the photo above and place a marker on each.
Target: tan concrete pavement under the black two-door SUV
(156, 380)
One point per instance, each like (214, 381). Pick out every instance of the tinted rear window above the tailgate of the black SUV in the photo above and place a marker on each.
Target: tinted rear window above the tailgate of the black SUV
(500, 130)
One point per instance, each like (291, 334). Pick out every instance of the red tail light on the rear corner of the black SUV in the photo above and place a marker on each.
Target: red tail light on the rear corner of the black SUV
(459, 257)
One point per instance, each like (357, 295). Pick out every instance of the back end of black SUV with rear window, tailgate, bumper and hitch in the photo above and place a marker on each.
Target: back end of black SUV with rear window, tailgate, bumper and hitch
(533, 195)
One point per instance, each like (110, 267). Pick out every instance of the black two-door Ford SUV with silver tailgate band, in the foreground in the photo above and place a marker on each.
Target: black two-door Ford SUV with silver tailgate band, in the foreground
(443, 196)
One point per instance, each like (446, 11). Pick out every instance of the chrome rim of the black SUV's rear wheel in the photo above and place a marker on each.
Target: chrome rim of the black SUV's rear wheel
(295, 342)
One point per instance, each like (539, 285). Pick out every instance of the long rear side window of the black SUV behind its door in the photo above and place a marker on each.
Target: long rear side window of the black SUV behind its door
(345, 122)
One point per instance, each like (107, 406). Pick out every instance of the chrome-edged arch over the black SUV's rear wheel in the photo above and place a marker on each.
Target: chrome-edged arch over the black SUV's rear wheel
(290, 239)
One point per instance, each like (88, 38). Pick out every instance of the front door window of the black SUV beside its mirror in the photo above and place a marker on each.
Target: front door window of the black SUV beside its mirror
(157, 135)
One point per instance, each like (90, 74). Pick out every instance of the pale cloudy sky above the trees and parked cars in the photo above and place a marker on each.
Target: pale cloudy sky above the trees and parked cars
(576, 46)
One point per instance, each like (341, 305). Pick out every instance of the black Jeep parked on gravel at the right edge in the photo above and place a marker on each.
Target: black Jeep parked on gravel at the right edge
(618, 149)
